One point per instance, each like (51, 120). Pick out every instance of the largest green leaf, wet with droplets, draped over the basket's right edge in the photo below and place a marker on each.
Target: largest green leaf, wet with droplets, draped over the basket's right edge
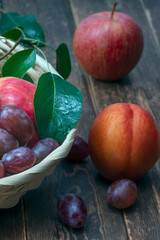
(57, 106)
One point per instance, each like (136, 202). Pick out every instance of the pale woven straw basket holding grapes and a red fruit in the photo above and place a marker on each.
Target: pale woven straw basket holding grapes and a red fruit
(12, 188)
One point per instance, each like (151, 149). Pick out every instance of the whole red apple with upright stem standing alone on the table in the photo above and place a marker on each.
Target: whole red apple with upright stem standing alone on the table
(108, 45)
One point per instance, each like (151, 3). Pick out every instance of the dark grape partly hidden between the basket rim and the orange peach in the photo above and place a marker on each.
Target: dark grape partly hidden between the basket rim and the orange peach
(79, 149)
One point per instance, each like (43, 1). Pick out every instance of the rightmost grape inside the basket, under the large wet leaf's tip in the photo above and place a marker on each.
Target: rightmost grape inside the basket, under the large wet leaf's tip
(44, 147)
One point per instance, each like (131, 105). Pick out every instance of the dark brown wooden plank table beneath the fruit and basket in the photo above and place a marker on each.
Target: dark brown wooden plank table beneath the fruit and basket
(35, 217)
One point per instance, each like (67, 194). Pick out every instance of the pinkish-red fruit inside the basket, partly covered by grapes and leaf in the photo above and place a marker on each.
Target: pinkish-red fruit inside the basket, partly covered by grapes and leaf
(20, 93)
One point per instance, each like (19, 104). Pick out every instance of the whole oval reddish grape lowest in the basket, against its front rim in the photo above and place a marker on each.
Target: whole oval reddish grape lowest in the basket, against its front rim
(19, 159)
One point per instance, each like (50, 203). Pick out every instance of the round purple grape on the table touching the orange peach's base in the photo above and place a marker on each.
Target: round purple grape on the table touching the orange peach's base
(122, 193)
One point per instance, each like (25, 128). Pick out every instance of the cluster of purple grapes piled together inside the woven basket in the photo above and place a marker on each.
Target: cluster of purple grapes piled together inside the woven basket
(16, 129)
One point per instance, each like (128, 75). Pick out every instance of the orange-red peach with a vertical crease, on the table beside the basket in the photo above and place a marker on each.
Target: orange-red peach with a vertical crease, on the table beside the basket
(124, 141)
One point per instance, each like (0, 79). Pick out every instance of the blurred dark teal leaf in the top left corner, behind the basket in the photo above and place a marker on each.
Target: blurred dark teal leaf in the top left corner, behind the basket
(32, 28)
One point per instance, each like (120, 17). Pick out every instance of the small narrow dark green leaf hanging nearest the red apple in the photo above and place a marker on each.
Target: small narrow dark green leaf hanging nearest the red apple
(63, 62)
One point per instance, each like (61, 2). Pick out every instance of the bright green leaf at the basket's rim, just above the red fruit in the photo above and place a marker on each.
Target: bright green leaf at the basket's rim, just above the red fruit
(18, 64)
